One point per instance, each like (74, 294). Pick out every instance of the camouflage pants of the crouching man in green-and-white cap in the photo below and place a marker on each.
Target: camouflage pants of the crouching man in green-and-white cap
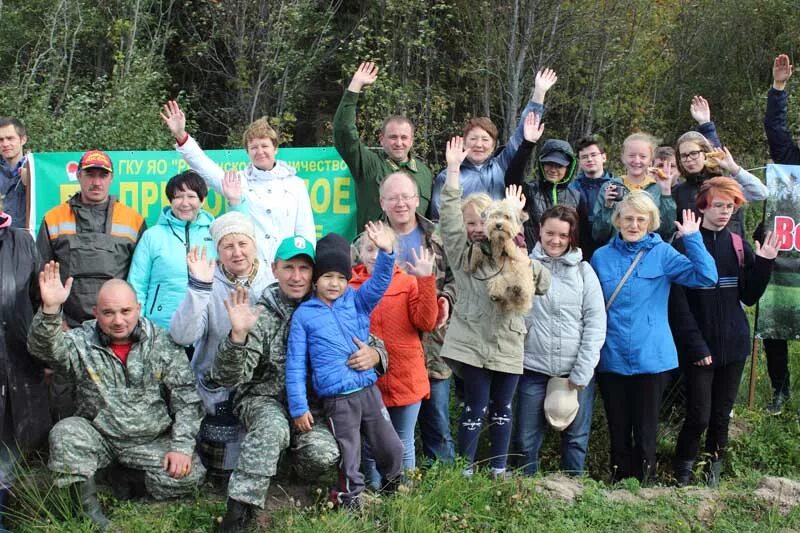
(269, 433)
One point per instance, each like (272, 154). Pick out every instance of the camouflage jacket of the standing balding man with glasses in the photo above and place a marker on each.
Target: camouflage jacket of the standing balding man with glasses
(445, 286)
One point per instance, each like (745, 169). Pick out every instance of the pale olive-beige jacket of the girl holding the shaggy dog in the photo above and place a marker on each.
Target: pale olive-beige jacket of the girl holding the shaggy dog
(478, 334)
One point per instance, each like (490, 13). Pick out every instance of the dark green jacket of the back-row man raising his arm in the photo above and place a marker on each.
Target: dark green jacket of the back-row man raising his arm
(368, 168)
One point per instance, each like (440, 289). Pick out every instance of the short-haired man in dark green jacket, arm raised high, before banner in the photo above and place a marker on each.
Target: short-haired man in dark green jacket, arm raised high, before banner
(369, 168)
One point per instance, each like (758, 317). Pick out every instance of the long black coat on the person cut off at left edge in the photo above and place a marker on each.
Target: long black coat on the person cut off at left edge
(21, 376)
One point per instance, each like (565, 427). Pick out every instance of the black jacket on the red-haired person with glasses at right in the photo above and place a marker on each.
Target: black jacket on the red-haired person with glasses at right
(711, 321)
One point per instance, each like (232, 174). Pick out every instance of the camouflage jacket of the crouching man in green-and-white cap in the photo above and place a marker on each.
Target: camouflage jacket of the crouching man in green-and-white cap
(258, 367)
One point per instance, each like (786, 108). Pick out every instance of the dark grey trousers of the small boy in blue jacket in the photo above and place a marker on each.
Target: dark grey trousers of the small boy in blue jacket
(351, 415)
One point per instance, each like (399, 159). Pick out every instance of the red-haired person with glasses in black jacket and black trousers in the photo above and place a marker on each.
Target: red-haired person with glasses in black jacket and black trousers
(710, 327)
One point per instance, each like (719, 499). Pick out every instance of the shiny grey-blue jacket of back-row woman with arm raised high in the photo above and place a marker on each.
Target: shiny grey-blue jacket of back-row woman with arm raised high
(490, 176)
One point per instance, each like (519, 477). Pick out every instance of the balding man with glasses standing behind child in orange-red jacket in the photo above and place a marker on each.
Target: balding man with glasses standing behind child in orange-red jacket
(399, 200)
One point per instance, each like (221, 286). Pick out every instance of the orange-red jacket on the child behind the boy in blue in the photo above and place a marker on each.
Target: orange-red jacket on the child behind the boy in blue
(408, 308)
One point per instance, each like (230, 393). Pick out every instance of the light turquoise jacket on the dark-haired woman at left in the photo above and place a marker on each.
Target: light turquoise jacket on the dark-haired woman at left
(158, 270)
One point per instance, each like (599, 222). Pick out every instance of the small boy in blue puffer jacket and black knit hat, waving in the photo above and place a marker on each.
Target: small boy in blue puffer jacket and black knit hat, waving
(322, 335)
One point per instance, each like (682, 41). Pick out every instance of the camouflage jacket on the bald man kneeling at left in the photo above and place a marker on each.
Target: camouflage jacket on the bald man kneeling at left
(132, 403)
